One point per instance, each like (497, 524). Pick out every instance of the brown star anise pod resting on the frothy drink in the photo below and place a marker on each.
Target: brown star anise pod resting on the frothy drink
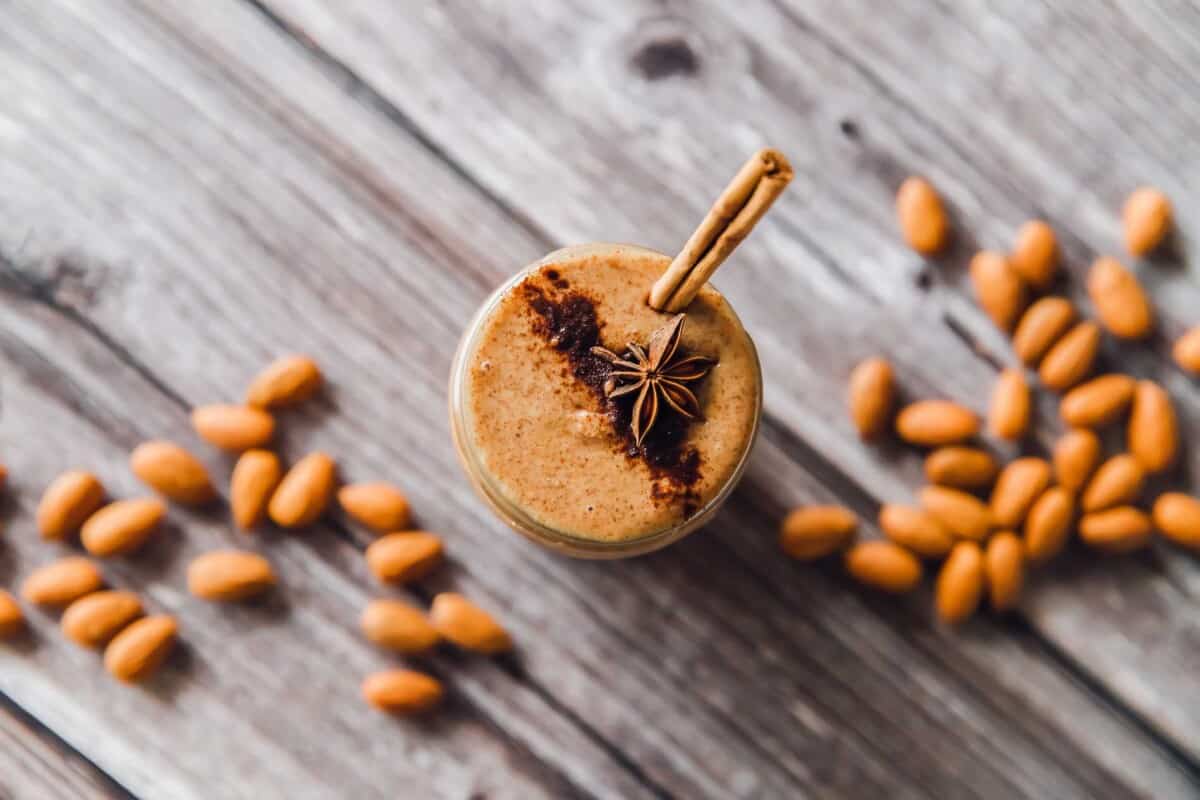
(657, 376)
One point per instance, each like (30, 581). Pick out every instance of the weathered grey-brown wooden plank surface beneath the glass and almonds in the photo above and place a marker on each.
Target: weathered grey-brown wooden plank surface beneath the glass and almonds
(188, 190)
